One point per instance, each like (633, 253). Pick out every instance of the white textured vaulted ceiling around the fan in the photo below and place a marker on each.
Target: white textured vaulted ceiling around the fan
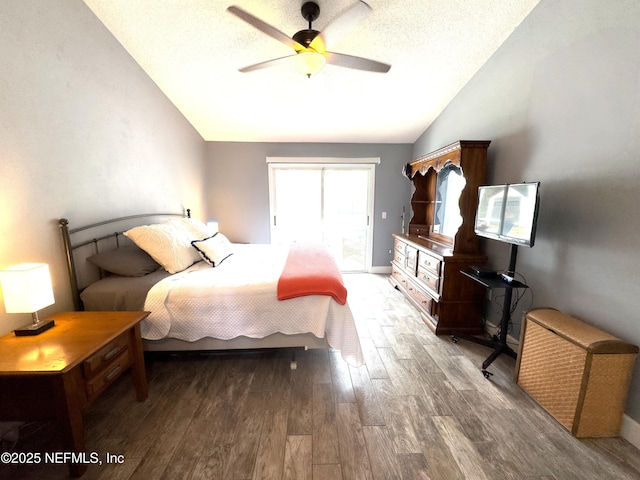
(192, 49)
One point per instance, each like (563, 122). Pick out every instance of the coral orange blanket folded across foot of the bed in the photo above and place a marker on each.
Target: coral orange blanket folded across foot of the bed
(311, 270)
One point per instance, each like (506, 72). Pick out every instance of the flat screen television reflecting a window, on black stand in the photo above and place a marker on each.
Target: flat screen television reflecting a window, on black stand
(508, 213)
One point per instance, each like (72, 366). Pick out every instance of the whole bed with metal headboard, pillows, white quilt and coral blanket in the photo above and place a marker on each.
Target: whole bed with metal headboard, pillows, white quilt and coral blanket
(205, 293)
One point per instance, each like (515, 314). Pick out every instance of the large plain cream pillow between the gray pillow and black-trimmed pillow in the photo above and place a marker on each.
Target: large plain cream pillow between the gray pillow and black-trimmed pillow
(167, 244)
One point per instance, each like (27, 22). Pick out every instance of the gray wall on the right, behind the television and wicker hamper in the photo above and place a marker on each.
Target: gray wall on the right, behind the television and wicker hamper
(560, 101)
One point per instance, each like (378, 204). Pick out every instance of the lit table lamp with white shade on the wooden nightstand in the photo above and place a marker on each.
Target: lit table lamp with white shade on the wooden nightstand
(26, 289)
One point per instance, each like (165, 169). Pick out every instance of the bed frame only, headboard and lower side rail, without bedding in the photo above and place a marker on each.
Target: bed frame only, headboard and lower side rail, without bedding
(82, 242)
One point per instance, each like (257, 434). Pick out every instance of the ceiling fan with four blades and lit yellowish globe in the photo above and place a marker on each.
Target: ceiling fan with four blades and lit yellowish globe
(310, 45)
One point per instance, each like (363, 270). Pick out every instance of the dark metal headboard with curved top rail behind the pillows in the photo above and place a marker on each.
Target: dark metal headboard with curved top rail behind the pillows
(114, 237)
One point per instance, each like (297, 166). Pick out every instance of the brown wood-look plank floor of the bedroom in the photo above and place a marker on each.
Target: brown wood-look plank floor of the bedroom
(419, 409)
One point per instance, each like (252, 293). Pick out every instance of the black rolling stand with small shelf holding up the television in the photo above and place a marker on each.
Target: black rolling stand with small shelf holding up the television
(499, 343)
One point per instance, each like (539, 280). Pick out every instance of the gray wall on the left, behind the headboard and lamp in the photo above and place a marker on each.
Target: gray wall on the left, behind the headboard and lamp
(84, 134)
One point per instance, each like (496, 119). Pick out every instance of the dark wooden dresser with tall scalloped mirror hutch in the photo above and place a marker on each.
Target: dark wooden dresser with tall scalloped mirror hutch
(441, 242)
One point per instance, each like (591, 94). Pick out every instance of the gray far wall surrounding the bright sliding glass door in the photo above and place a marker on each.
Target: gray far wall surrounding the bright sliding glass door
(238, 187)
